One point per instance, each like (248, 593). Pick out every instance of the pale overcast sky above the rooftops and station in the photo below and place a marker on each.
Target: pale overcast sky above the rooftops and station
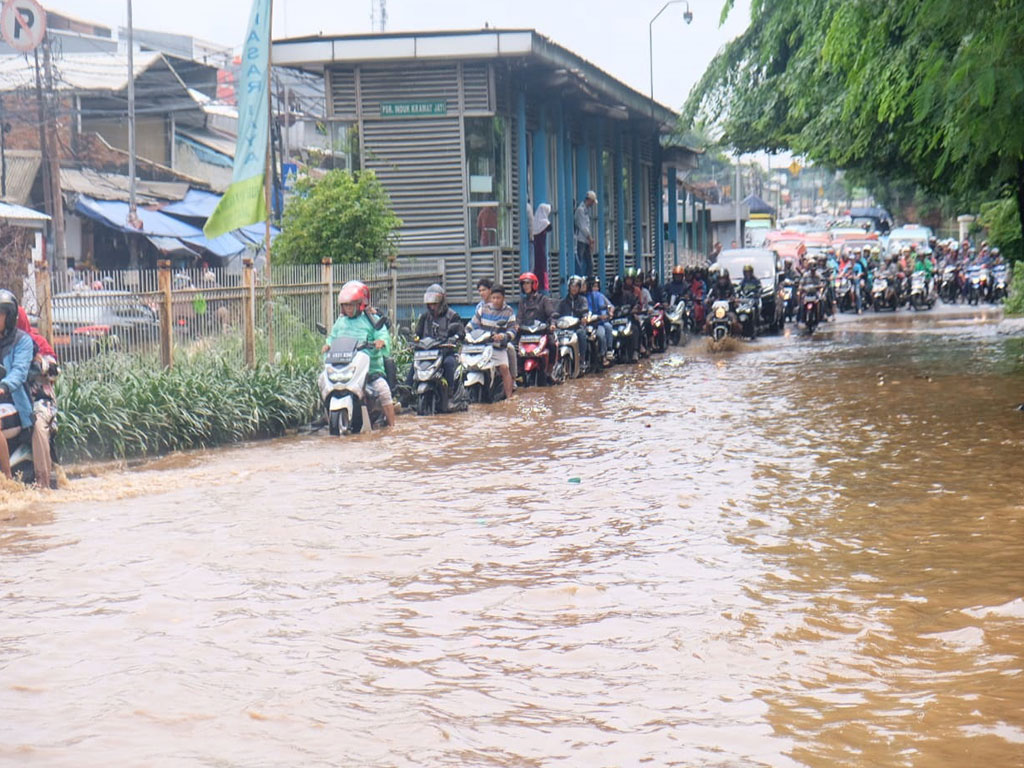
(612, 34)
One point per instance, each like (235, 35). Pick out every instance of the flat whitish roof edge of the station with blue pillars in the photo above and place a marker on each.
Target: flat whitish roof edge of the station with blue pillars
(315, 53)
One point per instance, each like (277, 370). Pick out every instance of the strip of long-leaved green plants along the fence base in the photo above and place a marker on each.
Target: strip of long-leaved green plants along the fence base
(116, 406)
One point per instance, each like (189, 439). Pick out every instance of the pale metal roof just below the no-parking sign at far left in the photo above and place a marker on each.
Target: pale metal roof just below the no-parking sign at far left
(78, 72)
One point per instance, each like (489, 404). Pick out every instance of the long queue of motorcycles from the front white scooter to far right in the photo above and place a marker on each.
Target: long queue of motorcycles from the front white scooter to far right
(569, 348)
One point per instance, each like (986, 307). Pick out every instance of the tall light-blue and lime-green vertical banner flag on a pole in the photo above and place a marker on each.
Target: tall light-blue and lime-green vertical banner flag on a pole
(244, 203)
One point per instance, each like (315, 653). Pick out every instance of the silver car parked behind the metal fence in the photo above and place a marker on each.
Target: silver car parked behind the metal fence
(88, 322)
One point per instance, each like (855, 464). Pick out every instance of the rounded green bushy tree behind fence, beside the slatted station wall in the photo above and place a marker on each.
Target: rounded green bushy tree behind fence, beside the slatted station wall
(345, 217)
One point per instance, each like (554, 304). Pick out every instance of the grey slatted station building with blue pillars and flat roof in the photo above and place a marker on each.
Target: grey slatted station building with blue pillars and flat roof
(471, 132)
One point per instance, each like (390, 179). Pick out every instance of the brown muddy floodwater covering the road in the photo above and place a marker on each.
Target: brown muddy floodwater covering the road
(807, 552)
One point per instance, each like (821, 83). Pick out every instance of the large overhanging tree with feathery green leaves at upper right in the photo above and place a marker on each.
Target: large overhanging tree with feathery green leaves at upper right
(923, 91)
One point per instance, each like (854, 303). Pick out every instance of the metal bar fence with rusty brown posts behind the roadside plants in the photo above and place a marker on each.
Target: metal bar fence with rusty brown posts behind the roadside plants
(157, 314)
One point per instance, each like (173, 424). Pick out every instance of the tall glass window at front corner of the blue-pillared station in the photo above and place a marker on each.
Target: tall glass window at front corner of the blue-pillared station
(488, 181)
